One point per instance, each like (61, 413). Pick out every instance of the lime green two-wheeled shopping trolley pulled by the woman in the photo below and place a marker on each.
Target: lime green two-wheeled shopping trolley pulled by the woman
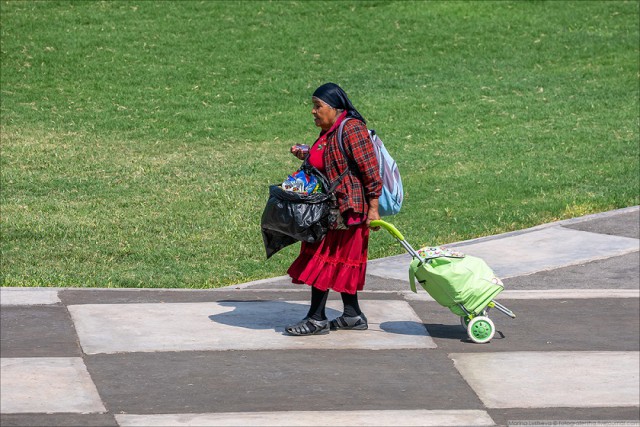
(464, 284)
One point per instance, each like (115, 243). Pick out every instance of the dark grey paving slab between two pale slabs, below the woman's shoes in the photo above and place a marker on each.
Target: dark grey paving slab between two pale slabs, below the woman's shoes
(266, 381)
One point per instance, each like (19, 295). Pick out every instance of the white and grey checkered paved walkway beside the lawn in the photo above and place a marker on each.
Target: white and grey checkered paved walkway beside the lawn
(220, 357)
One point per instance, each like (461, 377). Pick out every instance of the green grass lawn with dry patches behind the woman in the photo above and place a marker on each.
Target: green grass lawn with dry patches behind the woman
(138, 138)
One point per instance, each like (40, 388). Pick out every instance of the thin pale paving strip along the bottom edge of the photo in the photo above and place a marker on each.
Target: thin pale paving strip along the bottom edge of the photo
(314, 418)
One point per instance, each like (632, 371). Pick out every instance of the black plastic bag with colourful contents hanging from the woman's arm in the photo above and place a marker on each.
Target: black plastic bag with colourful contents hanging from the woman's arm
(291, 217)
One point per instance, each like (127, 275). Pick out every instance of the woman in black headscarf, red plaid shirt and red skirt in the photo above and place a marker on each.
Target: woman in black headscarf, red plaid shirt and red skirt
(339, 261)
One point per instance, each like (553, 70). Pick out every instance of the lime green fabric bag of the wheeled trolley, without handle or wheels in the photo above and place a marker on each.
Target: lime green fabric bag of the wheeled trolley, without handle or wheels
(451, 281)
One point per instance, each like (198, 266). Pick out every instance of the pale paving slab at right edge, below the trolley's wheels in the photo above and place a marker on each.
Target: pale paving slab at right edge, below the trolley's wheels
(552, 379)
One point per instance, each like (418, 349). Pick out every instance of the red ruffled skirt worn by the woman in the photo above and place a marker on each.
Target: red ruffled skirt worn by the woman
(337, 262)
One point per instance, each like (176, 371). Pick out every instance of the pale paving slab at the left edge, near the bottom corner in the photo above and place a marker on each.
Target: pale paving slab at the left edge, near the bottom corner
(47, 384)
